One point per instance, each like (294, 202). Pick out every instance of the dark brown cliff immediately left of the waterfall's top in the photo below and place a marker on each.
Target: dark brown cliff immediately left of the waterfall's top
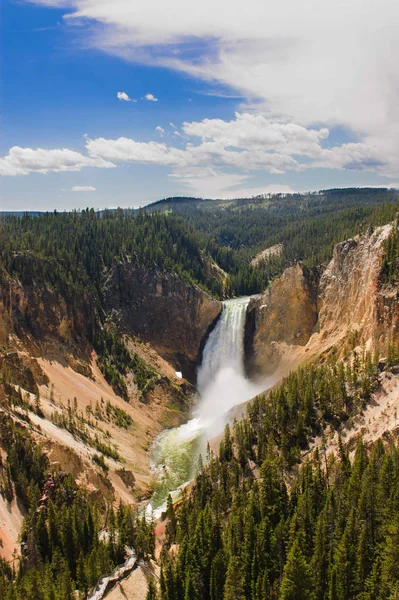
(161, 308)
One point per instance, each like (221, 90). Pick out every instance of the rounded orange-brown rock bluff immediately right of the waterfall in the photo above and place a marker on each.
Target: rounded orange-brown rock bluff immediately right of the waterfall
(285, 313)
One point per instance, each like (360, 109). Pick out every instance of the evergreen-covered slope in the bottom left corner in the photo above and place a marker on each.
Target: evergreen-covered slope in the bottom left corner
(61, 547)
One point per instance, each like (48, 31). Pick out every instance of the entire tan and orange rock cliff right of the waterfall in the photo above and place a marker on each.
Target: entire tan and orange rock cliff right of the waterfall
(297, 318)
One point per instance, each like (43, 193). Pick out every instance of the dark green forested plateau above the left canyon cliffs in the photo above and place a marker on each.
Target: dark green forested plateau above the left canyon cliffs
(72, 250)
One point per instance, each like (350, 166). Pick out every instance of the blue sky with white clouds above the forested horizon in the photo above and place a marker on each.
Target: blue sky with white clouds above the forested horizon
(239, 104)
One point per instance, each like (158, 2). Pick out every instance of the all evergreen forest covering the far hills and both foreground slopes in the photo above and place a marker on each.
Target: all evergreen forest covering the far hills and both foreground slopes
(284, 510)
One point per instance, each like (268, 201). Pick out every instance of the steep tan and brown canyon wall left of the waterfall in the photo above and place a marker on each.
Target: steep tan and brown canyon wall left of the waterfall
(52, 382)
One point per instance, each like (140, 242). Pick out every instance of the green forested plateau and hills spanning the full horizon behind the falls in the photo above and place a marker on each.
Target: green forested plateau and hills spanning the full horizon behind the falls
(188, 234)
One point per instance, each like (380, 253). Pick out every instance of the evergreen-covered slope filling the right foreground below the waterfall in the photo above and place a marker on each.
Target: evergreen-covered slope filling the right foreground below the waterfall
(256, 527)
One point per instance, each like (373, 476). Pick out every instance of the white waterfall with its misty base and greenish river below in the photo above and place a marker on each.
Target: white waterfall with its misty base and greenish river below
(221, 385)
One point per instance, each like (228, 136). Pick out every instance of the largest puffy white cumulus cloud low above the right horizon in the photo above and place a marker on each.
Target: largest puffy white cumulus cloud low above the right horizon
(246, 143)
